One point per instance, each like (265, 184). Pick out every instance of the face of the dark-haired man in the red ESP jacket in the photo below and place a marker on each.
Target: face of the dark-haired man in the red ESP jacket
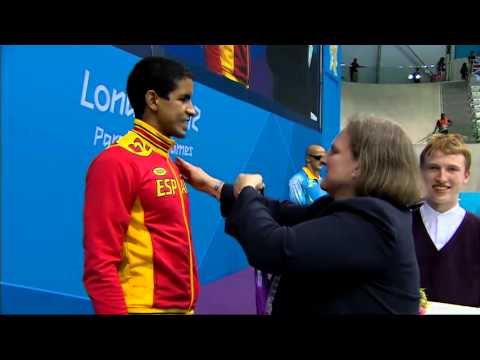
(173, 114)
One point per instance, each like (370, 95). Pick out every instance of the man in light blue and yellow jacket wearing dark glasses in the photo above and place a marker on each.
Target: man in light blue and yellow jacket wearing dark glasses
(304, 186)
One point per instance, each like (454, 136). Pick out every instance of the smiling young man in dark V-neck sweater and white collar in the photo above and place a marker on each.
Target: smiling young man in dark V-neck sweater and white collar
(447, 237)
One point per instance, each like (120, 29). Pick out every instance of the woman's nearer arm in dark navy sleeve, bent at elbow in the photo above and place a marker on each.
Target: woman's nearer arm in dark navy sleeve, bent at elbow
(339, 242)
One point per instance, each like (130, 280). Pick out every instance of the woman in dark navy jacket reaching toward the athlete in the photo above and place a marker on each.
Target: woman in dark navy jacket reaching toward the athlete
(351, 252)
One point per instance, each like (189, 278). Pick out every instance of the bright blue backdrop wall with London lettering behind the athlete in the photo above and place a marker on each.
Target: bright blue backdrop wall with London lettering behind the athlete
(62, 105)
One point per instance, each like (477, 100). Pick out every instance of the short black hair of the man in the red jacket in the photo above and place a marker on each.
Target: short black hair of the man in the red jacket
(153, 73)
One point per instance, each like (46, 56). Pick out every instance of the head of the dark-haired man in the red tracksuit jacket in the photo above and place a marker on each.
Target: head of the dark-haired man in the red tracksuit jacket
(160, 92)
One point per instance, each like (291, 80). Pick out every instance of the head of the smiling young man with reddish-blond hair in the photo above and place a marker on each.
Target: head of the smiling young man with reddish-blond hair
(445, 166)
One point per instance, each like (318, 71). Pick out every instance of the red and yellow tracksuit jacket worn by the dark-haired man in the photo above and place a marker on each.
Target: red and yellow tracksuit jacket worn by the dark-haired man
(139, 256)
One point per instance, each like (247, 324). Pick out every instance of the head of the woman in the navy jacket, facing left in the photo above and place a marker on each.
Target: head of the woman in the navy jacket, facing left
(374, 157)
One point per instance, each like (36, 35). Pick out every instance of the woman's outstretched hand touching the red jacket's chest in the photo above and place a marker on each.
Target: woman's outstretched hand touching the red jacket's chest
(198, 178)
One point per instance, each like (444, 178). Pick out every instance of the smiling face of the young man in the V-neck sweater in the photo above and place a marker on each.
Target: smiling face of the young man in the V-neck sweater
(444, 177)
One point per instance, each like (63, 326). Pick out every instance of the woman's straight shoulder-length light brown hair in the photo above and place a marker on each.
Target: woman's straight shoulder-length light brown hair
(388, 164)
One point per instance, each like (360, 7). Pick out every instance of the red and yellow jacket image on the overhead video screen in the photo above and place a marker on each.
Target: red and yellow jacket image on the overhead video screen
(231, 61)
